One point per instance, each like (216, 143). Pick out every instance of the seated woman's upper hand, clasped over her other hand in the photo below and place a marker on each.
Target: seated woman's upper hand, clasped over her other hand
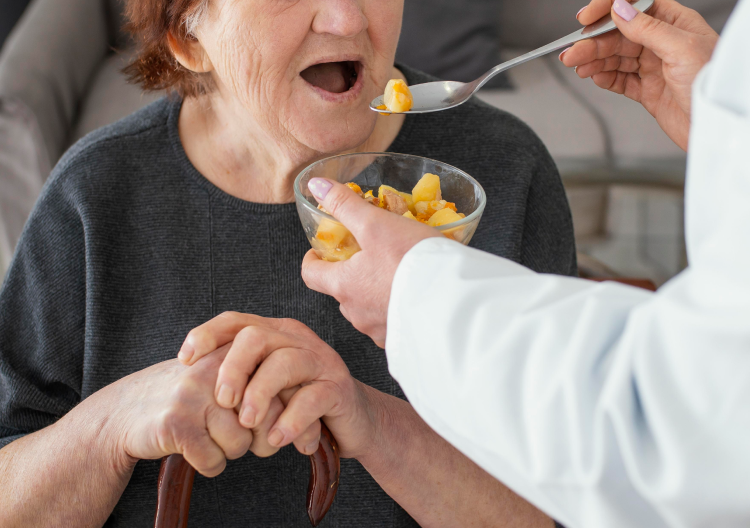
(281, 361)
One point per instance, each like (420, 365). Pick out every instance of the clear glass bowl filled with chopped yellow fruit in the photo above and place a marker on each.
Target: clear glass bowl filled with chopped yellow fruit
(440, 196)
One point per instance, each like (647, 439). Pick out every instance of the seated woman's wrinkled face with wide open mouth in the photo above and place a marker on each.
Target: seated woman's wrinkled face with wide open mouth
(305, 70)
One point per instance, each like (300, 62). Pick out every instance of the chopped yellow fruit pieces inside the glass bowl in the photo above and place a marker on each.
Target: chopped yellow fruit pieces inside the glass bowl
(333, 242)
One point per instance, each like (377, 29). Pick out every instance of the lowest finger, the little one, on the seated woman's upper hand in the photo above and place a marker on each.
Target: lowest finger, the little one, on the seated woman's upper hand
(309, 404)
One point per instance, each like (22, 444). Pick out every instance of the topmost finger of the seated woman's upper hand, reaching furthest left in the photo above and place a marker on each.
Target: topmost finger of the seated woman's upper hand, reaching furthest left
(217, 332)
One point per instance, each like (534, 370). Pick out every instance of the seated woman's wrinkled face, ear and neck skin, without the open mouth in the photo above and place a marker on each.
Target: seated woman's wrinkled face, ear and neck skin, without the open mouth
(263, 122)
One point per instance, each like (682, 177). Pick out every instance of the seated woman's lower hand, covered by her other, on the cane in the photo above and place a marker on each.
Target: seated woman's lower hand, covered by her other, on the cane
(169, 408)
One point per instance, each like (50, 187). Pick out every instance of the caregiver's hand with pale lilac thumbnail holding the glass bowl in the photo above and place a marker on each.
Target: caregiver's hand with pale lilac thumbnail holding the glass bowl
(362, 284)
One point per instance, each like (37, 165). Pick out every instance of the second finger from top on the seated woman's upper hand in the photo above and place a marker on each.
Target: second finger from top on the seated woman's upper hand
(252, 345)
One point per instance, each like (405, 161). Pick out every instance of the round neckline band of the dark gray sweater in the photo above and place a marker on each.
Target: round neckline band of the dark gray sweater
(175, 105)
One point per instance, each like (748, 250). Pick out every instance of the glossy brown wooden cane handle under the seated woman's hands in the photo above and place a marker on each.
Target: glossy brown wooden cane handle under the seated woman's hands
(176, 485)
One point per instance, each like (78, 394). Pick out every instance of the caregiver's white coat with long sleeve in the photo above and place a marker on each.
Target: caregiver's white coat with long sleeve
(604, 405)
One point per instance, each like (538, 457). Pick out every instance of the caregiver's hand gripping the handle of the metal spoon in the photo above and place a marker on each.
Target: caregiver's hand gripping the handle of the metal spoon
(653, 59)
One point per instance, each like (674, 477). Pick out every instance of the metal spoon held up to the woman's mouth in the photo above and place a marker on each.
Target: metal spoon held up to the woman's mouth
(441, 95)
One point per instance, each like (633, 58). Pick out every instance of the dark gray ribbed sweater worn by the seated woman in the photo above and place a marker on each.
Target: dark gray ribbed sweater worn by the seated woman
(129, 248)
